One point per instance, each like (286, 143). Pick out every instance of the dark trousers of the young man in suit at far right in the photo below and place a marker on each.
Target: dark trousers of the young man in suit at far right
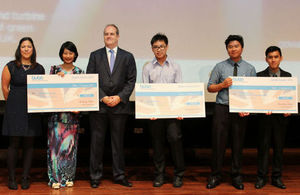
(273, 128)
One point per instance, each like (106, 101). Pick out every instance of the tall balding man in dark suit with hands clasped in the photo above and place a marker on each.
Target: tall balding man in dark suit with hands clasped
(117, 75)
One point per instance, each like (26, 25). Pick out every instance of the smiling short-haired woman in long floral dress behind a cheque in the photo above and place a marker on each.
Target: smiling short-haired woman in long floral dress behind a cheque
(63, 129)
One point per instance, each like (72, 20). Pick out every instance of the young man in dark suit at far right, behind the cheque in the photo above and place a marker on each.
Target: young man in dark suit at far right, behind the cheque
(271, 126)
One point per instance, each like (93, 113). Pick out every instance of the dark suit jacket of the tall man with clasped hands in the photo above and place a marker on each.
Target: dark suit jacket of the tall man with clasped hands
(120, 82)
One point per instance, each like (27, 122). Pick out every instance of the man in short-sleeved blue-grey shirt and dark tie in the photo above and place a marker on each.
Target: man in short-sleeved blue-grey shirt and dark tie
(225, 123)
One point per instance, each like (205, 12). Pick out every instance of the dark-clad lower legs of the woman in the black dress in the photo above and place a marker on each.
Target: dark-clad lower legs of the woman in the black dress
(12, 156)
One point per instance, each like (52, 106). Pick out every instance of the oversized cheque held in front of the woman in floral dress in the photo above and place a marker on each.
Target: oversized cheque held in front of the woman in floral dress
(53, 93)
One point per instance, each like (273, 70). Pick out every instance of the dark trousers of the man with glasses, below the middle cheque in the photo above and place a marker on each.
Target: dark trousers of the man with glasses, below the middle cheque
(169, 128)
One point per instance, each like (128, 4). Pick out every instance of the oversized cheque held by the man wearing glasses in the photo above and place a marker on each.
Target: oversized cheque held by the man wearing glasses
(171, 100)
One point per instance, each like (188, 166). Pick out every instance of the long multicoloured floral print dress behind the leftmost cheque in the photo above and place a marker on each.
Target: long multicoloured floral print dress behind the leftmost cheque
(62, 141)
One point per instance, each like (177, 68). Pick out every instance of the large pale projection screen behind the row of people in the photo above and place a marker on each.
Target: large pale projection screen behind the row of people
(196, 30)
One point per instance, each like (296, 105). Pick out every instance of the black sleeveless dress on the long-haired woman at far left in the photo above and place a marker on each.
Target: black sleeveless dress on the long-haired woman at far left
(16, 121)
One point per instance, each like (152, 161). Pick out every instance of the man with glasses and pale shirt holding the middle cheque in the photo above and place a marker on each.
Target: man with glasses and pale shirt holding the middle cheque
(163, 70)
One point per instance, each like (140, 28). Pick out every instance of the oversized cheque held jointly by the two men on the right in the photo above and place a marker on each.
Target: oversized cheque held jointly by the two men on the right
(263, 94)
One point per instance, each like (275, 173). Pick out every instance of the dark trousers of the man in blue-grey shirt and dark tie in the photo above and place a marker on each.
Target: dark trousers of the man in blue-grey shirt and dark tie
(227, 124)
